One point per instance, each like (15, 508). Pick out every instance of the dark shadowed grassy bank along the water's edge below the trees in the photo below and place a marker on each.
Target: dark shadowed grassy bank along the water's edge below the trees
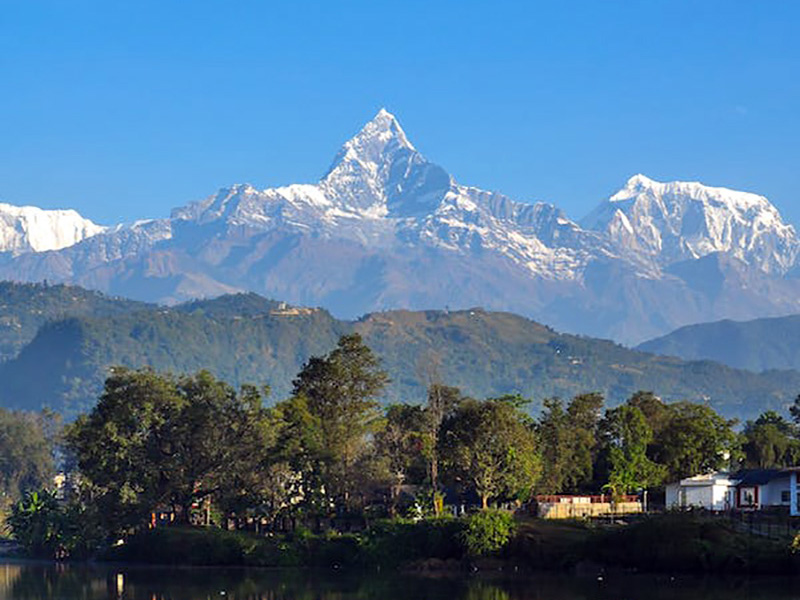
(667, 543)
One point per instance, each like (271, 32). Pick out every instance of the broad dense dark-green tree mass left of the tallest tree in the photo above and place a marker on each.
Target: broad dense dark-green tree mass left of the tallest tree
(153, 440)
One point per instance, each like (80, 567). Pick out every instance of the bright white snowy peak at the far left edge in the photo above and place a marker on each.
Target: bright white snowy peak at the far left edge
(31, 229)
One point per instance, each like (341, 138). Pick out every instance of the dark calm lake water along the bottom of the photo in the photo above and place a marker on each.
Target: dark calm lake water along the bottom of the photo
(47, 582)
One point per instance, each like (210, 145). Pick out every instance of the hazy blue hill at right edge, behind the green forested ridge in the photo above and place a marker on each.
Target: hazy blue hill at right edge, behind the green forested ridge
(758, 345)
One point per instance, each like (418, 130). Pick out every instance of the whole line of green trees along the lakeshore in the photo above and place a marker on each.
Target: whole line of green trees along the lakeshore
(200, 451)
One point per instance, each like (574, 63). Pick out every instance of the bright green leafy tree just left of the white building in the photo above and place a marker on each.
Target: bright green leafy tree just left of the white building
(625, 436)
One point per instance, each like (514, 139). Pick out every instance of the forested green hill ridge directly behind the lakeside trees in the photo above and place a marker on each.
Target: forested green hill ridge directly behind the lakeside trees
(248, 339)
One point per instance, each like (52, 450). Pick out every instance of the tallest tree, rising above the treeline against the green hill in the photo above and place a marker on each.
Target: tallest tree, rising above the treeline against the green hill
(340, 392)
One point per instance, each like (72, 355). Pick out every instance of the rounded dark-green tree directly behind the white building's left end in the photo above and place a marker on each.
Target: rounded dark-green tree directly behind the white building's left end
(696, 440)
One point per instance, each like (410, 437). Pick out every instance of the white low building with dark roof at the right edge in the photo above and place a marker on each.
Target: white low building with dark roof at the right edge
(747, 489)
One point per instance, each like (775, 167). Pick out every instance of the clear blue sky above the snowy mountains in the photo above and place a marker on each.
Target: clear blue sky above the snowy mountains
(126, 109)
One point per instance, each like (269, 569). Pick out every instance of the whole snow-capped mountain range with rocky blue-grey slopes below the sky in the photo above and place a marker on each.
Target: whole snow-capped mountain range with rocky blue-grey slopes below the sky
(386, 229)
